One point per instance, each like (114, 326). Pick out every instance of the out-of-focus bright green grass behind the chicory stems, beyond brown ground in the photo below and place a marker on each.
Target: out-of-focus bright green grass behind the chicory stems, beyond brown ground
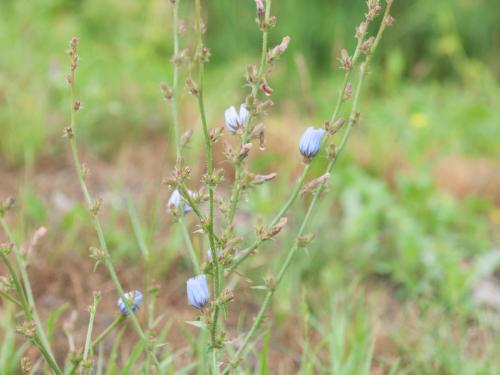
(433, 92)
